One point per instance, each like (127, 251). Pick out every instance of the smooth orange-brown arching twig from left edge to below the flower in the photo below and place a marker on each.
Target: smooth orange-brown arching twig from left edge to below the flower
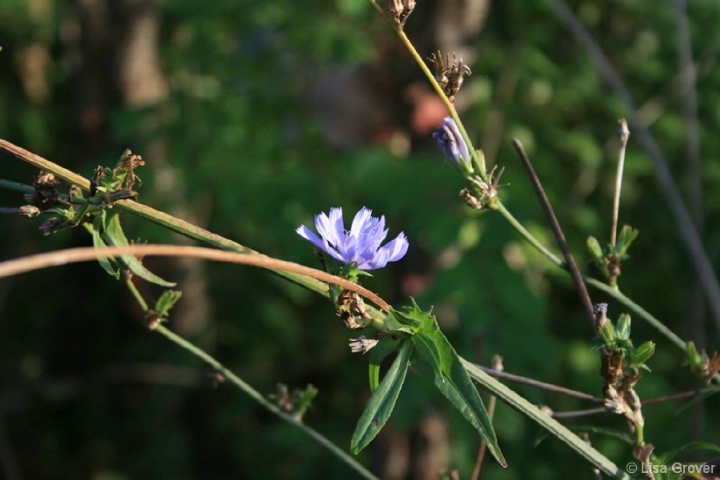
(84, 254)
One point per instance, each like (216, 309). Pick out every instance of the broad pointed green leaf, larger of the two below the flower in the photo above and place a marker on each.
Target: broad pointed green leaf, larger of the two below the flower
(443, 364)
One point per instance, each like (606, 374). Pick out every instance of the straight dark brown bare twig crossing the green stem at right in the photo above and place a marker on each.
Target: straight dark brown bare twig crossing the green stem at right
(559, 236)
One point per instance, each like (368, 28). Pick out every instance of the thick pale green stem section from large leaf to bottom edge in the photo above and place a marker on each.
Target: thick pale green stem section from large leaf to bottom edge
(548, 423)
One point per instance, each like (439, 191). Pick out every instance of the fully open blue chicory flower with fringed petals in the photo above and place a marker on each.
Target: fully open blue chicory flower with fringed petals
(361, 244)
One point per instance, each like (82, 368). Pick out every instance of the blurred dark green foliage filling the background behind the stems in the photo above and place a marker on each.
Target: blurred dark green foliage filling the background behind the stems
(235, 143)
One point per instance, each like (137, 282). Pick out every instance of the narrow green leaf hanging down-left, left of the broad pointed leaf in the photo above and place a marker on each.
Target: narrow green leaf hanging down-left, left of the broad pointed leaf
(382, 401)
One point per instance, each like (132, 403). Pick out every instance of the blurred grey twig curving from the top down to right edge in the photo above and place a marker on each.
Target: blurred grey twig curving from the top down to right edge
(686, 227)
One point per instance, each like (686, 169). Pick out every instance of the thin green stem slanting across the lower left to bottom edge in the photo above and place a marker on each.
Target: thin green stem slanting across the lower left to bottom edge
(257, 396)
